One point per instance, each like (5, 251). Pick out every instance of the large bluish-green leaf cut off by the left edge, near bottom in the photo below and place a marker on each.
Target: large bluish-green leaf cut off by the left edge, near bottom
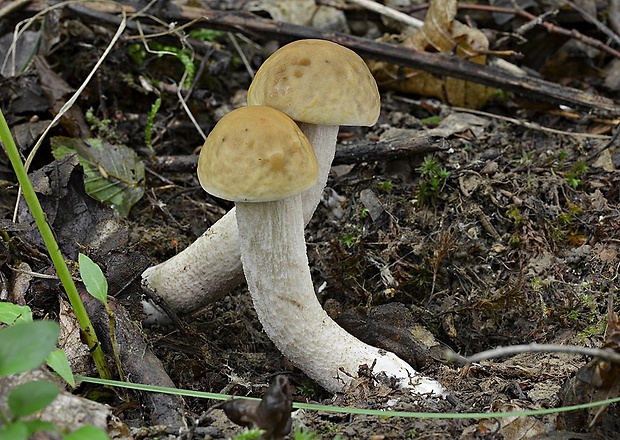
(25, 346)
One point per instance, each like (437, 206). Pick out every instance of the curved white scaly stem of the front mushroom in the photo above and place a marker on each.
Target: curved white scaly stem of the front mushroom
(274, 258)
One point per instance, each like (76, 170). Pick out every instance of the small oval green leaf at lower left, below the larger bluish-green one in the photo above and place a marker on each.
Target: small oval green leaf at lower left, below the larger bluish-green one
(31, 397)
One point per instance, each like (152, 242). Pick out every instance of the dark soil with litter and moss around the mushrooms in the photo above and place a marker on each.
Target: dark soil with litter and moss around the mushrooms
(517, 242)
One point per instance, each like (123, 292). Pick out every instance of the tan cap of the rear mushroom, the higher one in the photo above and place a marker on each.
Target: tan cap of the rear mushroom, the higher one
(317, 82)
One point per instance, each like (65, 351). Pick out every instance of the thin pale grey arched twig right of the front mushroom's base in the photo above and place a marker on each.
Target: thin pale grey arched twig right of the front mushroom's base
(606, 354)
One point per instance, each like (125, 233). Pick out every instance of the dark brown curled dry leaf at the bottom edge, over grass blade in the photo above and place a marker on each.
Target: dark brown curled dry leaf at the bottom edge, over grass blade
(272, 414)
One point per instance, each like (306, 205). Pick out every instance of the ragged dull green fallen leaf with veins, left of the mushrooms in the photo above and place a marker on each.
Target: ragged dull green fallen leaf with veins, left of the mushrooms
(114, 172)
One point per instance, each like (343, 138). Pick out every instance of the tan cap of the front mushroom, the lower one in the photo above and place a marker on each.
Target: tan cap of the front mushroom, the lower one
(256, 154)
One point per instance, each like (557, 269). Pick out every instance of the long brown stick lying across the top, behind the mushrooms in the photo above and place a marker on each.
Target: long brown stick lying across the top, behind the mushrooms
(535, 89)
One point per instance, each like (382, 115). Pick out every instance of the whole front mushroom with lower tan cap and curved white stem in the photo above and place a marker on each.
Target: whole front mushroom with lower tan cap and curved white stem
(258, 157)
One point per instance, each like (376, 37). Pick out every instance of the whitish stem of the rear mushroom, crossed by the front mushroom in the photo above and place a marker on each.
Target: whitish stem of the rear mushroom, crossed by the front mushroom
(185, 284)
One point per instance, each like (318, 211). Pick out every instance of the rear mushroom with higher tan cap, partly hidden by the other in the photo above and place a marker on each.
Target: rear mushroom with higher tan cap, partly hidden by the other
(319, 84)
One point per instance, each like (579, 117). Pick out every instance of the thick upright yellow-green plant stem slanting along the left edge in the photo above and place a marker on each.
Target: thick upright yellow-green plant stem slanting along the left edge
(54, 251)
